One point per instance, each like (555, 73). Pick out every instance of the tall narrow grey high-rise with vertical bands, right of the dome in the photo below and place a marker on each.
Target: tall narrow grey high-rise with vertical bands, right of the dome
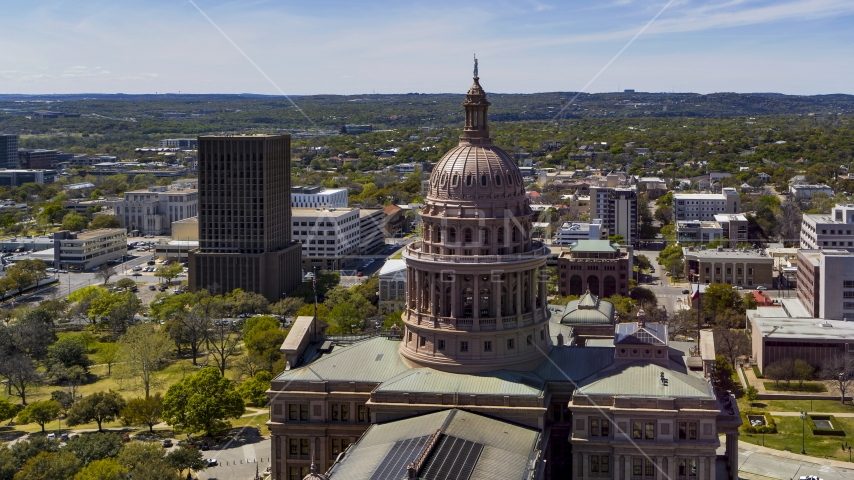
(618, 210)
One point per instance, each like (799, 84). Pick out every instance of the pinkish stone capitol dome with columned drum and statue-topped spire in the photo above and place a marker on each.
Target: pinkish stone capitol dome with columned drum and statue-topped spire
(476, 280)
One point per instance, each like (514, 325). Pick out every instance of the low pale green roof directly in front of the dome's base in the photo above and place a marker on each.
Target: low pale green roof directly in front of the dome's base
(500, 382)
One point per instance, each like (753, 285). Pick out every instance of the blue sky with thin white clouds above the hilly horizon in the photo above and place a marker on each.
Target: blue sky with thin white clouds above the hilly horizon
(349, 47)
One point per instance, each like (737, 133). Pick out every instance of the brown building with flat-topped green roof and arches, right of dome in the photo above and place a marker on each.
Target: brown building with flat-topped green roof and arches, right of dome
(596, 266)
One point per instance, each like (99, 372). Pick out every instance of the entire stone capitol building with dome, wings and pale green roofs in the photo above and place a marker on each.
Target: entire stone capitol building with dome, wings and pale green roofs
(486, 380)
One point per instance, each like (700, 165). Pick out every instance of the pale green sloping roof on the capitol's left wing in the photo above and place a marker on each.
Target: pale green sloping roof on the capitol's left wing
(373, 360)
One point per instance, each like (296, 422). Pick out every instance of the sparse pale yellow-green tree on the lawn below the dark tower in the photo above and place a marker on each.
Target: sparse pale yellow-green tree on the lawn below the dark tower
(143, 347)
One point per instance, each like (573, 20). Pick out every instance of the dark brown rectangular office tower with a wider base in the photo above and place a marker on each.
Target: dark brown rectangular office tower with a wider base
(245, 217)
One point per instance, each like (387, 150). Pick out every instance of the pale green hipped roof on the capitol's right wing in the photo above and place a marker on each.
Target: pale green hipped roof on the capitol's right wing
(643, 379)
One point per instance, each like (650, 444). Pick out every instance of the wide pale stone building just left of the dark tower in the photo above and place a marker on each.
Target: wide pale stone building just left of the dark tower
(152, 211)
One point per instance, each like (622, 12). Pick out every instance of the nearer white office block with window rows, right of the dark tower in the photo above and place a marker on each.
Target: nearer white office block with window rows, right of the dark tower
(330, 237)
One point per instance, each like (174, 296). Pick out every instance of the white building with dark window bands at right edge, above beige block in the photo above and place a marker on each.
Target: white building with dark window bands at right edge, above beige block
(834, 230)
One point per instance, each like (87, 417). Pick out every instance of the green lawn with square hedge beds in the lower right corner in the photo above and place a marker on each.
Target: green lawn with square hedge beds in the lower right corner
(789, 438)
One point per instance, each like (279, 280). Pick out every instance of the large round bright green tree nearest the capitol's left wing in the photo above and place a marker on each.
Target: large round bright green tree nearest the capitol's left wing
(202, 402)
